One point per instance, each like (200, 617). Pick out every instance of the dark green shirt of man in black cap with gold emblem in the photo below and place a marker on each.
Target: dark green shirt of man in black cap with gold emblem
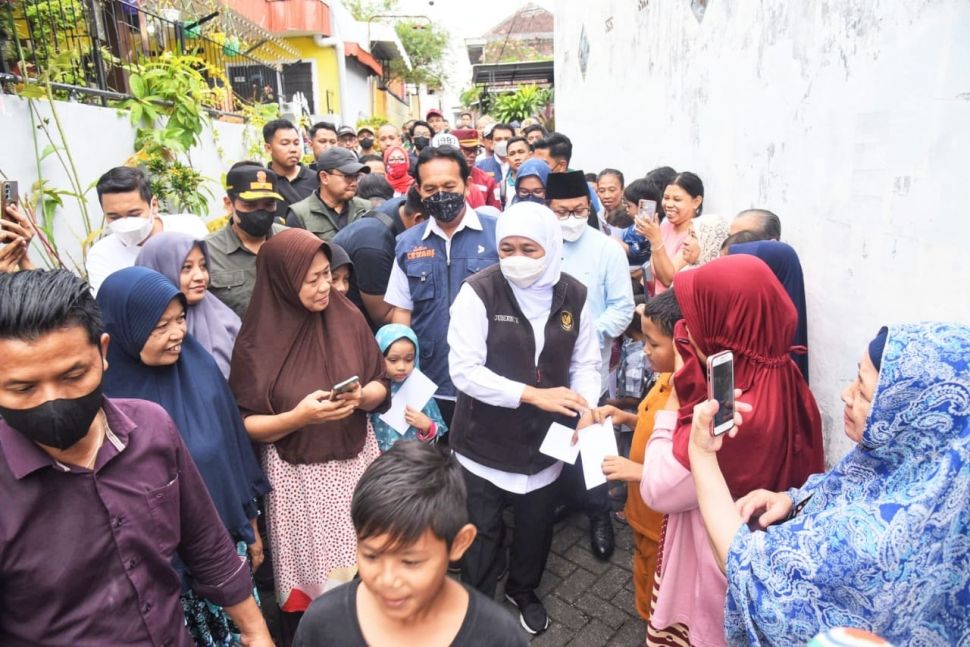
(232, 268)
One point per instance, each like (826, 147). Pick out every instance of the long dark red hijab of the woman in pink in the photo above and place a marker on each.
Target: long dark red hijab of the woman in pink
(736, 303)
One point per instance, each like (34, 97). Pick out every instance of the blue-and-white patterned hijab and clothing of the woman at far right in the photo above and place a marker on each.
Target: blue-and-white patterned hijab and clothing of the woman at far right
(883, 544)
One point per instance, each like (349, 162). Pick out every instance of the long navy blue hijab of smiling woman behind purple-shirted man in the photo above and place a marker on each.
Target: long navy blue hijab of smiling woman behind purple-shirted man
(192, 391)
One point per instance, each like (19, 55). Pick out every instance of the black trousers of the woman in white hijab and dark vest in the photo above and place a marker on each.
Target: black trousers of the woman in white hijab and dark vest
(533, 515)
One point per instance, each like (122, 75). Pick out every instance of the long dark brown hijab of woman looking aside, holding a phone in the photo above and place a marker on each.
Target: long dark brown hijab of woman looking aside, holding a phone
(284, 352)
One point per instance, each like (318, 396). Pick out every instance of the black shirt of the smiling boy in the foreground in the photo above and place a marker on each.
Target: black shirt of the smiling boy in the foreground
(332, 620)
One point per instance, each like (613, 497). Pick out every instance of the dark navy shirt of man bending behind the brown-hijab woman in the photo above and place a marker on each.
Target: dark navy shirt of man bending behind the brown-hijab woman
(370, 245)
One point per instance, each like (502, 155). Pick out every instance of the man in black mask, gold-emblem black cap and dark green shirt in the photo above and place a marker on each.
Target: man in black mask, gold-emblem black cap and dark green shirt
(251, 200)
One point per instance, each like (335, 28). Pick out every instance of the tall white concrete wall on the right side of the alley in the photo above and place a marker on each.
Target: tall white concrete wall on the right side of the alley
(850, 119)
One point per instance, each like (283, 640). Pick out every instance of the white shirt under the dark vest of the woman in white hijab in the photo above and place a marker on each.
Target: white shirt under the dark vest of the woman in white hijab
(467, 335)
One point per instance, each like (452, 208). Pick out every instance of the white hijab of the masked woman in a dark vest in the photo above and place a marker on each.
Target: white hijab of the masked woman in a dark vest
(537, 223)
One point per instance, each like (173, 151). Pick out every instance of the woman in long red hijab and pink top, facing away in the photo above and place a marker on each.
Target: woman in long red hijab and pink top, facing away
(733, 303)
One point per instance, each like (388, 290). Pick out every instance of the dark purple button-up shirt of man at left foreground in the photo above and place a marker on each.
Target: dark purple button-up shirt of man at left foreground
(85, 556)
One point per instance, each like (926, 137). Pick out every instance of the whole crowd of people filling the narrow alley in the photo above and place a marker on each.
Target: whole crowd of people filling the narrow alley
(208, 412)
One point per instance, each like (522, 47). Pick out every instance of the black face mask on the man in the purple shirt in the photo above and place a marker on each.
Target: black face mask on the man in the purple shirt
(56, 423)
